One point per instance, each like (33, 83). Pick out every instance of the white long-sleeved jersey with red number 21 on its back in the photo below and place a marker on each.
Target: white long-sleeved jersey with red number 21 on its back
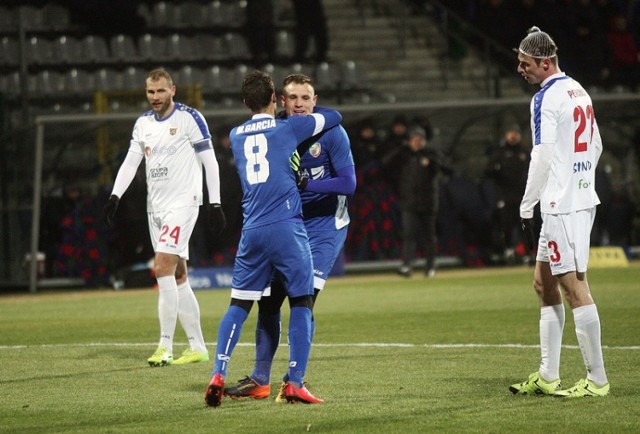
(566, 149)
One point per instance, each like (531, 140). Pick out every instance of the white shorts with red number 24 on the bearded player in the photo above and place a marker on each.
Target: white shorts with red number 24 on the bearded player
(171, 230)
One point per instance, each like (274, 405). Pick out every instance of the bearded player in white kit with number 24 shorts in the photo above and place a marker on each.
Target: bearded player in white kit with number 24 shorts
(175, 142)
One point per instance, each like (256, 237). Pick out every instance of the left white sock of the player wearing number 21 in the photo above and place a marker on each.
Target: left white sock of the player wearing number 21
(551, 326)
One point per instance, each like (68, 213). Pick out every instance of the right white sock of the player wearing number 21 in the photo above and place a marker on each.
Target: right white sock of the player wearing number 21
(587, 324)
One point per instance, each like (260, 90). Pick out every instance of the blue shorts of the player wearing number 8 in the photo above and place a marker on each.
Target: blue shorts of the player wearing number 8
(282, 246)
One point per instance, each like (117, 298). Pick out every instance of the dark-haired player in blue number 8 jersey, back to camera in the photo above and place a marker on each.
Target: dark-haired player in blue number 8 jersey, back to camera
(273, 236)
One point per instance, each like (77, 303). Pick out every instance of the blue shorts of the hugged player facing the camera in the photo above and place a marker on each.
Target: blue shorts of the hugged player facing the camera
(325, 248)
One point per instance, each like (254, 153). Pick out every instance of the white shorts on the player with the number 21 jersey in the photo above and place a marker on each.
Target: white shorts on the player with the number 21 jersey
(565, 239)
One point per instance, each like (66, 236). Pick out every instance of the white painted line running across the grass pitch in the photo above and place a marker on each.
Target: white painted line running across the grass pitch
(328, 345)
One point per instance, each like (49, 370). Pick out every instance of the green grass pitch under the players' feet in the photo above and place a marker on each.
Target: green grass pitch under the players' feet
(390, 355)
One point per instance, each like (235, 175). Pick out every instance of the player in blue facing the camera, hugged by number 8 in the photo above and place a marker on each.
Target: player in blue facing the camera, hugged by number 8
(329, 166)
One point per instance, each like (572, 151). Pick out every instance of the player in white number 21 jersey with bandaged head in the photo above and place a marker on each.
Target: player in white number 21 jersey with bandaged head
(566, 149)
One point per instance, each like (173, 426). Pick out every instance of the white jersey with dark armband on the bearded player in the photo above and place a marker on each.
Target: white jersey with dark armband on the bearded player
(170, 146)
